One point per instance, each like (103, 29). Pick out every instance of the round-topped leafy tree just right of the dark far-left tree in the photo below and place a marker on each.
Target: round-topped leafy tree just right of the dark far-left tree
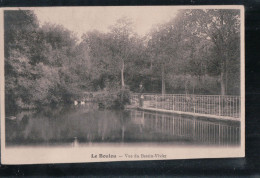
(60, 62)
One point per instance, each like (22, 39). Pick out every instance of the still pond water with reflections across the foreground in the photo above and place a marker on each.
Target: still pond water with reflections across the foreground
(87, 124)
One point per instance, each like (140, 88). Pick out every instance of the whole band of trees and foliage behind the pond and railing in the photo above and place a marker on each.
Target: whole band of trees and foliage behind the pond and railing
(198, 51)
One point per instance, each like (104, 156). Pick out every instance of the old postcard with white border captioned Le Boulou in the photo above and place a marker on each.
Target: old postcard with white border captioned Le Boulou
(121, 83)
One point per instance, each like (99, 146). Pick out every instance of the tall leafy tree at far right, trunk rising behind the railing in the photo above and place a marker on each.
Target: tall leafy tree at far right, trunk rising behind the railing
(220, 28)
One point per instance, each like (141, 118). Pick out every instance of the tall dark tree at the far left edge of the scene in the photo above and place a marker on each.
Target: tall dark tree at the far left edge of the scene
(20, 34)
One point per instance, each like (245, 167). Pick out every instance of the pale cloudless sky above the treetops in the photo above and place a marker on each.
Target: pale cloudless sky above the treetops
(83, 19)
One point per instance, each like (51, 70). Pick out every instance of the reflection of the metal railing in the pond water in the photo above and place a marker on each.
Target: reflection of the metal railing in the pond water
(190, 129)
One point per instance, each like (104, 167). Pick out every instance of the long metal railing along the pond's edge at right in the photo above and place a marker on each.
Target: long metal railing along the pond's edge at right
(216, 105)
